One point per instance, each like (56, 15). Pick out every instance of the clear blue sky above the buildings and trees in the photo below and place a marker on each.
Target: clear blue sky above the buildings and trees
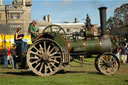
(67, 10)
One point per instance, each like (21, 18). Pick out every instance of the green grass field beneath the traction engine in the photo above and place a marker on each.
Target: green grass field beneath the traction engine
(72, 75)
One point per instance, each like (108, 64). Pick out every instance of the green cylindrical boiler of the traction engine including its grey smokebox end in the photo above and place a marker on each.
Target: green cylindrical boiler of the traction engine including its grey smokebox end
(91, 46)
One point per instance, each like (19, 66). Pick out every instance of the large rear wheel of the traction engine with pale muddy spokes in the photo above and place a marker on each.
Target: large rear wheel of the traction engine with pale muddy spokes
(44, 59)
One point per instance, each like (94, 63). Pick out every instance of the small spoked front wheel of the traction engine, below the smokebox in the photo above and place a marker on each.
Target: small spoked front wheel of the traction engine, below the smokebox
(107, 64)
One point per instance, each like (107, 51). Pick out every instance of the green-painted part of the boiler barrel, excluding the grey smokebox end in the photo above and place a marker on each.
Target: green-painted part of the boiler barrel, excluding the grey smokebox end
(91, 46)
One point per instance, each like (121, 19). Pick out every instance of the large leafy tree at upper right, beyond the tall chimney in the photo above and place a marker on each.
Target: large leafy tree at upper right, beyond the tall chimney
(119, 23)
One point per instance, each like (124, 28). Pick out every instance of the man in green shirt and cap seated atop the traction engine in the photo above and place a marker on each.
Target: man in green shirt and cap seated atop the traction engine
(33, 30)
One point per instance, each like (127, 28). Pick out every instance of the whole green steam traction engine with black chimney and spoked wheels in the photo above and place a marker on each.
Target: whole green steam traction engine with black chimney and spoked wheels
(51, 51)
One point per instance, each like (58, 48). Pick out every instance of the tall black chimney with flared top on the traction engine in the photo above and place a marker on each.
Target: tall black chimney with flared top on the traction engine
(102, 11)
